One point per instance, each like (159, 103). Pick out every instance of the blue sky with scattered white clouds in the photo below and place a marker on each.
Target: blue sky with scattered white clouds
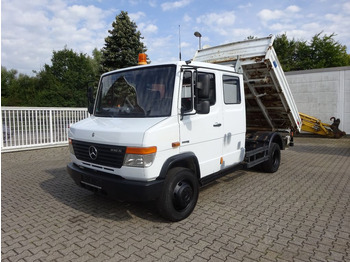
(31, 30)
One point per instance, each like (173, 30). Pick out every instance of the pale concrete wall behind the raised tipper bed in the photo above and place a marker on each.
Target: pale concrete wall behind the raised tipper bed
(323, 93)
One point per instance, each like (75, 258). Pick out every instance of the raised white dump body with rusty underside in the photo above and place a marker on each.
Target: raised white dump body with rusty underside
(269, 101)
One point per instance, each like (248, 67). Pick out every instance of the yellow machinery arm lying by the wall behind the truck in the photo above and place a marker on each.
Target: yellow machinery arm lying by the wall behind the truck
(313, 125)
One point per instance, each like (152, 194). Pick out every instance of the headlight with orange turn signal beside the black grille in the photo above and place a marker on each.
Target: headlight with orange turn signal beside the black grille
(140, 156)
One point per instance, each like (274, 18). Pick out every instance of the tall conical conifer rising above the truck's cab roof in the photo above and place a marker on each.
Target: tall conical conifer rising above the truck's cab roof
(123, 45)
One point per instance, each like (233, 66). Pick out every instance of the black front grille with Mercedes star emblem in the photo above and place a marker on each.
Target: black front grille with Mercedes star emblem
(107, 155)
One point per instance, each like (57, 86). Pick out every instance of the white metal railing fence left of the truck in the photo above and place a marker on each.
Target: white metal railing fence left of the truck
(35, 127)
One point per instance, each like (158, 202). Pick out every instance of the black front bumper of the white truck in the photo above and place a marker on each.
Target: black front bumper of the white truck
(114, 186)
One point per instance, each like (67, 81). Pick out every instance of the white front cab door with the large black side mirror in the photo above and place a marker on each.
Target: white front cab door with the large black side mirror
(201, 133)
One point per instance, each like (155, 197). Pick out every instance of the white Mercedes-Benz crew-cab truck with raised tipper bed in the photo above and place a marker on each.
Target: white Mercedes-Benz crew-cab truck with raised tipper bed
(159, 132)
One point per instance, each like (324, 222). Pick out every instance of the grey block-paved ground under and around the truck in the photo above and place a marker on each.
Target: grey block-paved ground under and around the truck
(300, 213)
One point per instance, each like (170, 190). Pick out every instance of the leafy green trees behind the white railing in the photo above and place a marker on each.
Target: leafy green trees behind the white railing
(62, 84)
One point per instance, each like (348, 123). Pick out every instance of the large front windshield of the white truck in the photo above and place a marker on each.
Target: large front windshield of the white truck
(143, 92)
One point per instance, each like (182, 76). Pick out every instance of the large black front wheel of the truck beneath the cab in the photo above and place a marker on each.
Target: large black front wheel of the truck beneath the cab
(180, 194)
